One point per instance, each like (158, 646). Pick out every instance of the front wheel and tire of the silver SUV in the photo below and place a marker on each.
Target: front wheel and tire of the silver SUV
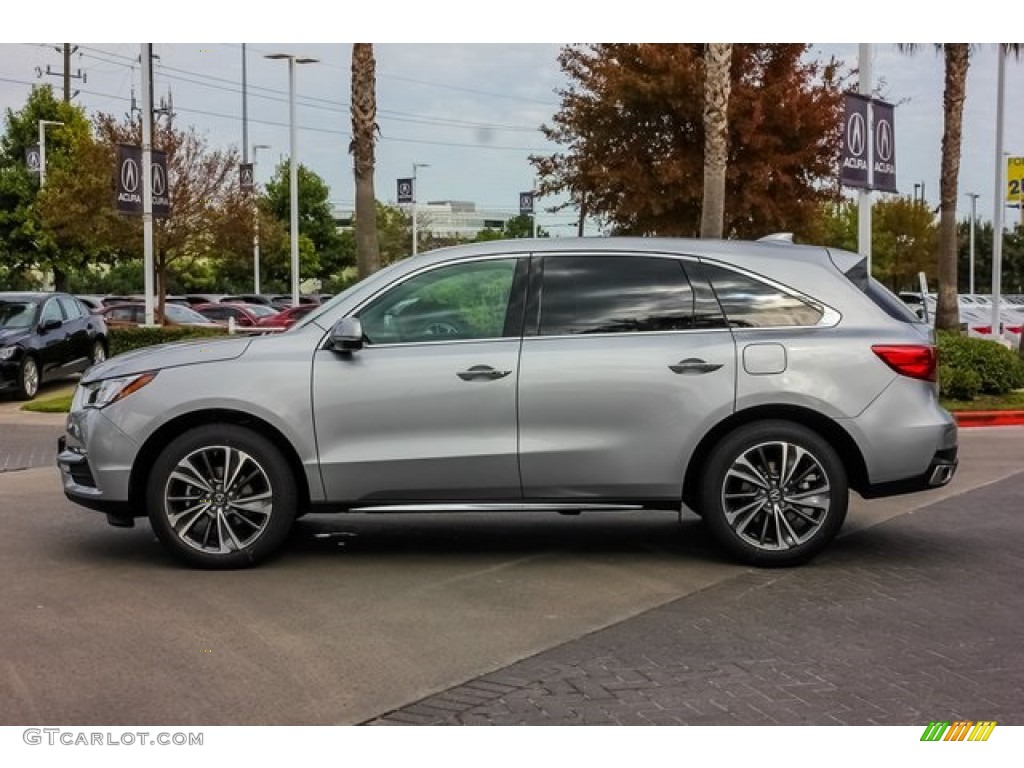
(233, 508)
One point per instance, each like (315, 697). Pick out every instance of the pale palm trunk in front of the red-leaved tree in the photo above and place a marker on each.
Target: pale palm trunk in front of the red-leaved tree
(718, 58)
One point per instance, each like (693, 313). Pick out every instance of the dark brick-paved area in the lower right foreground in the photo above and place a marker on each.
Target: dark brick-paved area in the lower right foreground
(919, 619)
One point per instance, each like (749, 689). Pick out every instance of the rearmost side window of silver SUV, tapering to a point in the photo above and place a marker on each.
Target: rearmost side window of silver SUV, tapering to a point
(750, 304)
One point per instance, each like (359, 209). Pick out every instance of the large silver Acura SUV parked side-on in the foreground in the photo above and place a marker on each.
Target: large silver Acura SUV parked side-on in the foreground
(755, 383)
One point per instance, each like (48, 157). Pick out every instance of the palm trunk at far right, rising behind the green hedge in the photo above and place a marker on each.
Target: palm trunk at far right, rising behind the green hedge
(957, 60)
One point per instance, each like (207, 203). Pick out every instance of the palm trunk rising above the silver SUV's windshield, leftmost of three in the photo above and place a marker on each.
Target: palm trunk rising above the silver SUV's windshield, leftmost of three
(362, 148)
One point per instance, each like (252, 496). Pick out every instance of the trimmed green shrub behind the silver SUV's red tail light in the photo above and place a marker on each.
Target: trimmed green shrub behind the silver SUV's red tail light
(963, 360)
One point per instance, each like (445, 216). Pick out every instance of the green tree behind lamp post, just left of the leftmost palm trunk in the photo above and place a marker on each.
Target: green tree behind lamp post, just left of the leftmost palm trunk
(316, 220)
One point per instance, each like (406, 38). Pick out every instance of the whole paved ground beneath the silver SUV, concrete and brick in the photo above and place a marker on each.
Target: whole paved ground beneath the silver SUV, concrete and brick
(915, 614)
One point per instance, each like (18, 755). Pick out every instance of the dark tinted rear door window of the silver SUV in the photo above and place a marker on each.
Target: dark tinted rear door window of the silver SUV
(614, 294)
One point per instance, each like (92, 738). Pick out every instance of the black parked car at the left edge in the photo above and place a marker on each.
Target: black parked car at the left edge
(46, 336)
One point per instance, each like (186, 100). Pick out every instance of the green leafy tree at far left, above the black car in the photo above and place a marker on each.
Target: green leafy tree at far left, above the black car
(27, 242)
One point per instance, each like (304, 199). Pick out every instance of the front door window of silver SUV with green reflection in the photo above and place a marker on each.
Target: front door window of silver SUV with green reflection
(458, 303)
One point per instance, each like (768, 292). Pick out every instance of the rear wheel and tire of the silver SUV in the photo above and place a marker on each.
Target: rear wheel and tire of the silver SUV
(775, 493)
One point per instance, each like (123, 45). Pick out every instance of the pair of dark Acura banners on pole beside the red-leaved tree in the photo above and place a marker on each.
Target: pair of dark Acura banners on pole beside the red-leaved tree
(869, 158)
